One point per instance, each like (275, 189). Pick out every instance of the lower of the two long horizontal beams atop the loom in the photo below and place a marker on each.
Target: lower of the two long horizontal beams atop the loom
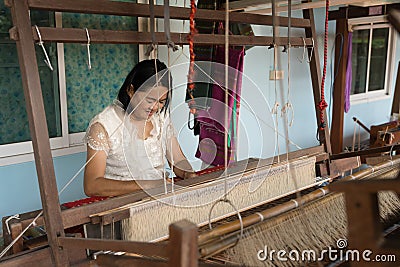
(73, 35)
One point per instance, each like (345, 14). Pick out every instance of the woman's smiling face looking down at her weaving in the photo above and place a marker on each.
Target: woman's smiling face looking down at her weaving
(146, 103)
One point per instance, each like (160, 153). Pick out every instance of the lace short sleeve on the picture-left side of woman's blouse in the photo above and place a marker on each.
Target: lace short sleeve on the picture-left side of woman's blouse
(97, 138)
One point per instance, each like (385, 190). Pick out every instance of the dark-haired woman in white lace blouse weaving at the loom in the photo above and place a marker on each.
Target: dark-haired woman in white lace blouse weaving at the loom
(127, 143)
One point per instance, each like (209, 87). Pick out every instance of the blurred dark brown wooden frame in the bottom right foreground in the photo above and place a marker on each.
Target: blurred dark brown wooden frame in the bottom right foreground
(367, 233)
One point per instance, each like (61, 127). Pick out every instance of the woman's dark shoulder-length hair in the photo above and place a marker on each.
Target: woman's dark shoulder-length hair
(144, 73)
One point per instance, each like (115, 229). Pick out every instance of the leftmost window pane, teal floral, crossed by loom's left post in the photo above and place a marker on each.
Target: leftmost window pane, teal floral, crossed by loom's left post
(14, 126)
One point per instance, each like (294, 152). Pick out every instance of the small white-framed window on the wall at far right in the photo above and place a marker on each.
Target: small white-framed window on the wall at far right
(372, 66)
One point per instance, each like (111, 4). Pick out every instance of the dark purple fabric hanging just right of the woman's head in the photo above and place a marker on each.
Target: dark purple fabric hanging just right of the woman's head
(212, 121)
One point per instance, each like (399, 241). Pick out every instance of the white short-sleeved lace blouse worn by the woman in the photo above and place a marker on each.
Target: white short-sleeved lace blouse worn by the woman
(129, 157)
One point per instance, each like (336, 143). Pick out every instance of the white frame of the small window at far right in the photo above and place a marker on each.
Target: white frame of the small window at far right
(375, 23)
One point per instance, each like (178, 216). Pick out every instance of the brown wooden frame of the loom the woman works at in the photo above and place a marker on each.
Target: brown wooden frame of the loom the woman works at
(60, 247)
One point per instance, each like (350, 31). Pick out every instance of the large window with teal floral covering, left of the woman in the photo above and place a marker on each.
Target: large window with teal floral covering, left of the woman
(72, 93)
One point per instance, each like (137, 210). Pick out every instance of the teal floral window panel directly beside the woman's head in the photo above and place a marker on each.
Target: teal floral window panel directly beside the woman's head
(90, 91)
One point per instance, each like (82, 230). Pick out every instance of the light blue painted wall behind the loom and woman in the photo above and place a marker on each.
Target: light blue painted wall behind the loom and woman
(19, 189)
